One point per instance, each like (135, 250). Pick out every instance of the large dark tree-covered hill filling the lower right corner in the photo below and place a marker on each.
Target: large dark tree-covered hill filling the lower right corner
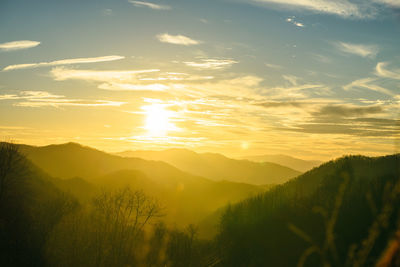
(342, 213)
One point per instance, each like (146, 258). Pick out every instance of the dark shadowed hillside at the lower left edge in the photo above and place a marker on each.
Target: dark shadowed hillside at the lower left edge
(30, 207)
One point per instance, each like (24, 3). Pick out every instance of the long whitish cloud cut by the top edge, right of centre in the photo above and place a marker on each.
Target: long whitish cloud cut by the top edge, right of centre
(341, 8)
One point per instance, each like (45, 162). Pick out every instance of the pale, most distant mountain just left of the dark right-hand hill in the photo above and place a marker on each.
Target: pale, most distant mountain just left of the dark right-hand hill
(284, 160)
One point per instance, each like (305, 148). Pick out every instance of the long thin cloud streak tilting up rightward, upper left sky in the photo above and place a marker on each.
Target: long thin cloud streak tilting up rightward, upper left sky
(63, 62)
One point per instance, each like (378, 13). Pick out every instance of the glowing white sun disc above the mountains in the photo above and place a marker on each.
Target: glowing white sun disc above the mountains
(157, 120)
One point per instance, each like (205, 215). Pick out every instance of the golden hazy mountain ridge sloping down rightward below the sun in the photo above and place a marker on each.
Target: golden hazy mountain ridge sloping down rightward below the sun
(187, 198)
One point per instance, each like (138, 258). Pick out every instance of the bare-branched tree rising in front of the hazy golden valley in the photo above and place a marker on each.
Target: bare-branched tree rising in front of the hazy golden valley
(122, 215)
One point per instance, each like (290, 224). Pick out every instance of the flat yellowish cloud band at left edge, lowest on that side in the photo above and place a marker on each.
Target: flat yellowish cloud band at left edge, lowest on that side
(43, 99)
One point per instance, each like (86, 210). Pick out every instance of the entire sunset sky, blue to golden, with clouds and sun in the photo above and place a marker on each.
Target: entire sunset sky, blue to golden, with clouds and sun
(315, 79)
